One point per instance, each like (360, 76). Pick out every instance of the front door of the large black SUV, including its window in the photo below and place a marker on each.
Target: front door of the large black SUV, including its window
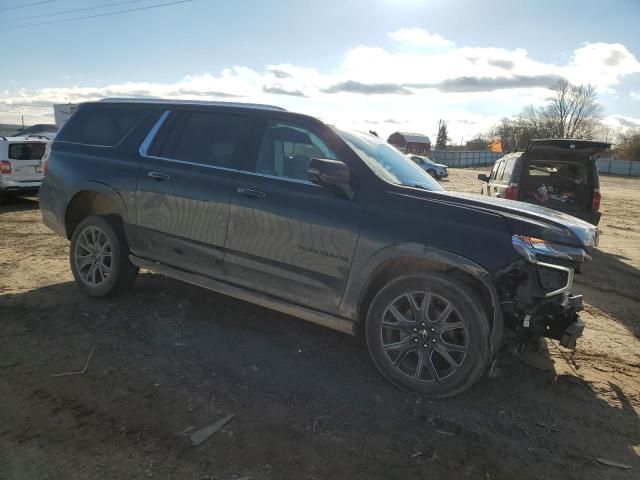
(287, 236)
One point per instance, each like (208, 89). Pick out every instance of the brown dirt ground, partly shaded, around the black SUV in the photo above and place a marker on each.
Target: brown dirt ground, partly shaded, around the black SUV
(307, 401)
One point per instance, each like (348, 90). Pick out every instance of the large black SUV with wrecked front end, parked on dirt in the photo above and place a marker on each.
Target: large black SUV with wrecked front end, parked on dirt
(329, 225)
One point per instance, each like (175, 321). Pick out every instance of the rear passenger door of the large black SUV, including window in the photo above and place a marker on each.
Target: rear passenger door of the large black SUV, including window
(189, 166)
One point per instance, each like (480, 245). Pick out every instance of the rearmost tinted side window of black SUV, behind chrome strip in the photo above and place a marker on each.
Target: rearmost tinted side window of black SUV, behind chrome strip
(101, 125)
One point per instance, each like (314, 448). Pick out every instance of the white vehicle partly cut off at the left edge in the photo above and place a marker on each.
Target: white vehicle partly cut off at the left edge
(20, 166)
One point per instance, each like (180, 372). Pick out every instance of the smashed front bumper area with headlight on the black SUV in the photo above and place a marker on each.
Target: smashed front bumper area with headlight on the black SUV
(535, 292)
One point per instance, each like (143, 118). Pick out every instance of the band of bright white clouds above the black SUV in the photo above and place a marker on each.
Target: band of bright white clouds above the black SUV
(471, 87)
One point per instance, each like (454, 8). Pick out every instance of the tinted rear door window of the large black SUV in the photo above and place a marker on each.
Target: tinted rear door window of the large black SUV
(200, 137)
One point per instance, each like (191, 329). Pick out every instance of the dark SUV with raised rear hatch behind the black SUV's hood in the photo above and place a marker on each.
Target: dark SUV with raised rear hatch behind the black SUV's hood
(555, 173)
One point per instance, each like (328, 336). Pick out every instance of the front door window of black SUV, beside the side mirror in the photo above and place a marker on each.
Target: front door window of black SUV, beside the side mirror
(287, 149)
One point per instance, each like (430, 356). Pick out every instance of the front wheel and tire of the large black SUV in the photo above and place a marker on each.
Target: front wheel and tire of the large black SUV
(388, 337)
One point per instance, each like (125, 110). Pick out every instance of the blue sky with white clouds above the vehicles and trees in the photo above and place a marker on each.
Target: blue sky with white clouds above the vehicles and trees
(384, 65)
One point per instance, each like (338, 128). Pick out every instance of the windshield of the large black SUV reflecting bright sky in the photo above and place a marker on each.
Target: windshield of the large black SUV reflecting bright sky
(386, 162)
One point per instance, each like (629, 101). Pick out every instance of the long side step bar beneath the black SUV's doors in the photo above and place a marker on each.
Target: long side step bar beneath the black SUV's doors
(326, 320)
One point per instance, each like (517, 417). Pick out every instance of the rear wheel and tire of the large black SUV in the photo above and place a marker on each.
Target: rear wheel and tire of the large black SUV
(118, 273)
